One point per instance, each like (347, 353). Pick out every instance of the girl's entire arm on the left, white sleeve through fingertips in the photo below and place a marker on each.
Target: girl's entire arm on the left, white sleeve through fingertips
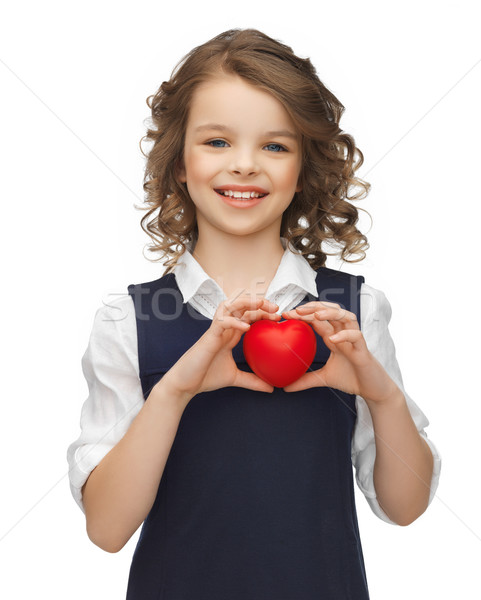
(121, 489)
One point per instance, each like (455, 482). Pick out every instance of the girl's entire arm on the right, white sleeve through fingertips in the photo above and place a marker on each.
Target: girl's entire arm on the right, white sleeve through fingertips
(394, 463)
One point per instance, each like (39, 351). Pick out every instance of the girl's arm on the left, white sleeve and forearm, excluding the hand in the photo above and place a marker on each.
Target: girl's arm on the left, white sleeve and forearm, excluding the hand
(108, 469)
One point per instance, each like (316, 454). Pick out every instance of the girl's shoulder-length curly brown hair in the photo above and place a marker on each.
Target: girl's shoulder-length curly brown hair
(321, 212)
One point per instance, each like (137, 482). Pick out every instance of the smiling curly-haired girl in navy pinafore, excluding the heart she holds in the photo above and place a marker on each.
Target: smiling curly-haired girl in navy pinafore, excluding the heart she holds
(245, 491)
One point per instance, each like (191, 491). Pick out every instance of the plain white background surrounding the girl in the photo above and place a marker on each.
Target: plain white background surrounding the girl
(74, 80)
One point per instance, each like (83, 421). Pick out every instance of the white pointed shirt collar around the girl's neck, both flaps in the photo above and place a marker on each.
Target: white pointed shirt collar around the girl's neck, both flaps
(293, 269)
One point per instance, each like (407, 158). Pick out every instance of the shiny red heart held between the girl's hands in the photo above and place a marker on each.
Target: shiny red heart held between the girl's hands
(279, 353)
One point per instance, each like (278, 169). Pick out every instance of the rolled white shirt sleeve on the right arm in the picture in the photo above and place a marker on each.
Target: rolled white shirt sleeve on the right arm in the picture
(375, 317)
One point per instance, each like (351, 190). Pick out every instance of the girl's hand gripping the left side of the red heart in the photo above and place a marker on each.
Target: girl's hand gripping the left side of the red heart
(209, 365)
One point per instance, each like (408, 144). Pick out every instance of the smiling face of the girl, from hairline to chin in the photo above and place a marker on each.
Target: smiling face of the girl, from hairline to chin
(239, 138)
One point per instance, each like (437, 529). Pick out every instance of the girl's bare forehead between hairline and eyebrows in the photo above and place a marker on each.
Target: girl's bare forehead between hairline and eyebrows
(233, 101)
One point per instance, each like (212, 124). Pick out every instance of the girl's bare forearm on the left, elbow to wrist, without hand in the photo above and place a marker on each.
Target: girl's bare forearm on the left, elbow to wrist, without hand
(121, 490)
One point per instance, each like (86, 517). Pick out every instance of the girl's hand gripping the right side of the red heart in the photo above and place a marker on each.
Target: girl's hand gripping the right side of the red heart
(351, 367)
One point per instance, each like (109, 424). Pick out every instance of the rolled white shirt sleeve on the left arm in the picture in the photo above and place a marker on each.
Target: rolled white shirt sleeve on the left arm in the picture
(110, 366)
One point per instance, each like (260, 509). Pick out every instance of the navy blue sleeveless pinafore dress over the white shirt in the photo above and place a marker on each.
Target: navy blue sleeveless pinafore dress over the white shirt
(256, 501)
